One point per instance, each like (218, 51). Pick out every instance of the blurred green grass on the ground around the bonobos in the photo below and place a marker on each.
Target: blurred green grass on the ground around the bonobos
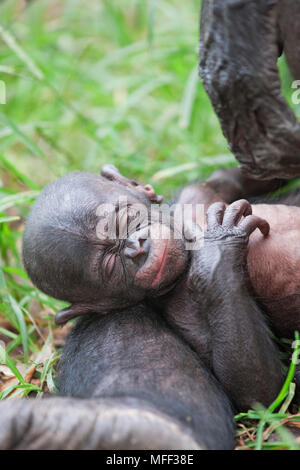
(90, 82)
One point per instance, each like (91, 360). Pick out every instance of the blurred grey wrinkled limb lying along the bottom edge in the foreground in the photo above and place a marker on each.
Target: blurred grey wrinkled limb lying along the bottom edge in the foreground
(104, 424)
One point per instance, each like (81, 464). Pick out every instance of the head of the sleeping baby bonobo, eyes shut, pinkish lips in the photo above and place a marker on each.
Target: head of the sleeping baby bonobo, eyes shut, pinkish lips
(72, 252)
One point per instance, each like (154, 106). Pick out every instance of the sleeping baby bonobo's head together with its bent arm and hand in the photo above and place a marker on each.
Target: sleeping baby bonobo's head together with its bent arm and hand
(203, 294)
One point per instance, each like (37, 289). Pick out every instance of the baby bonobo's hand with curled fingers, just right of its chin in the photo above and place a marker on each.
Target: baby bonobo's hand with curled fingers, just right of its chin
(225, 246)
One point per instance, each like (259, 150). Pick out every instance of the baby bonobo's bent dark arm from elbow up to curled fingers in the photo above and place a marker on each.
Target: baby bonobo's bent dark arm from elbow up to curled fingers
(243, 357)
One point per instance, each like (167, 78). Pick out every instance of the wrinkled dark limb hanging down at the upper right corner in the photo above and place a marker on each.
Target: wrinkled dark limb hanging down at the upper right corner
(240, 41)
